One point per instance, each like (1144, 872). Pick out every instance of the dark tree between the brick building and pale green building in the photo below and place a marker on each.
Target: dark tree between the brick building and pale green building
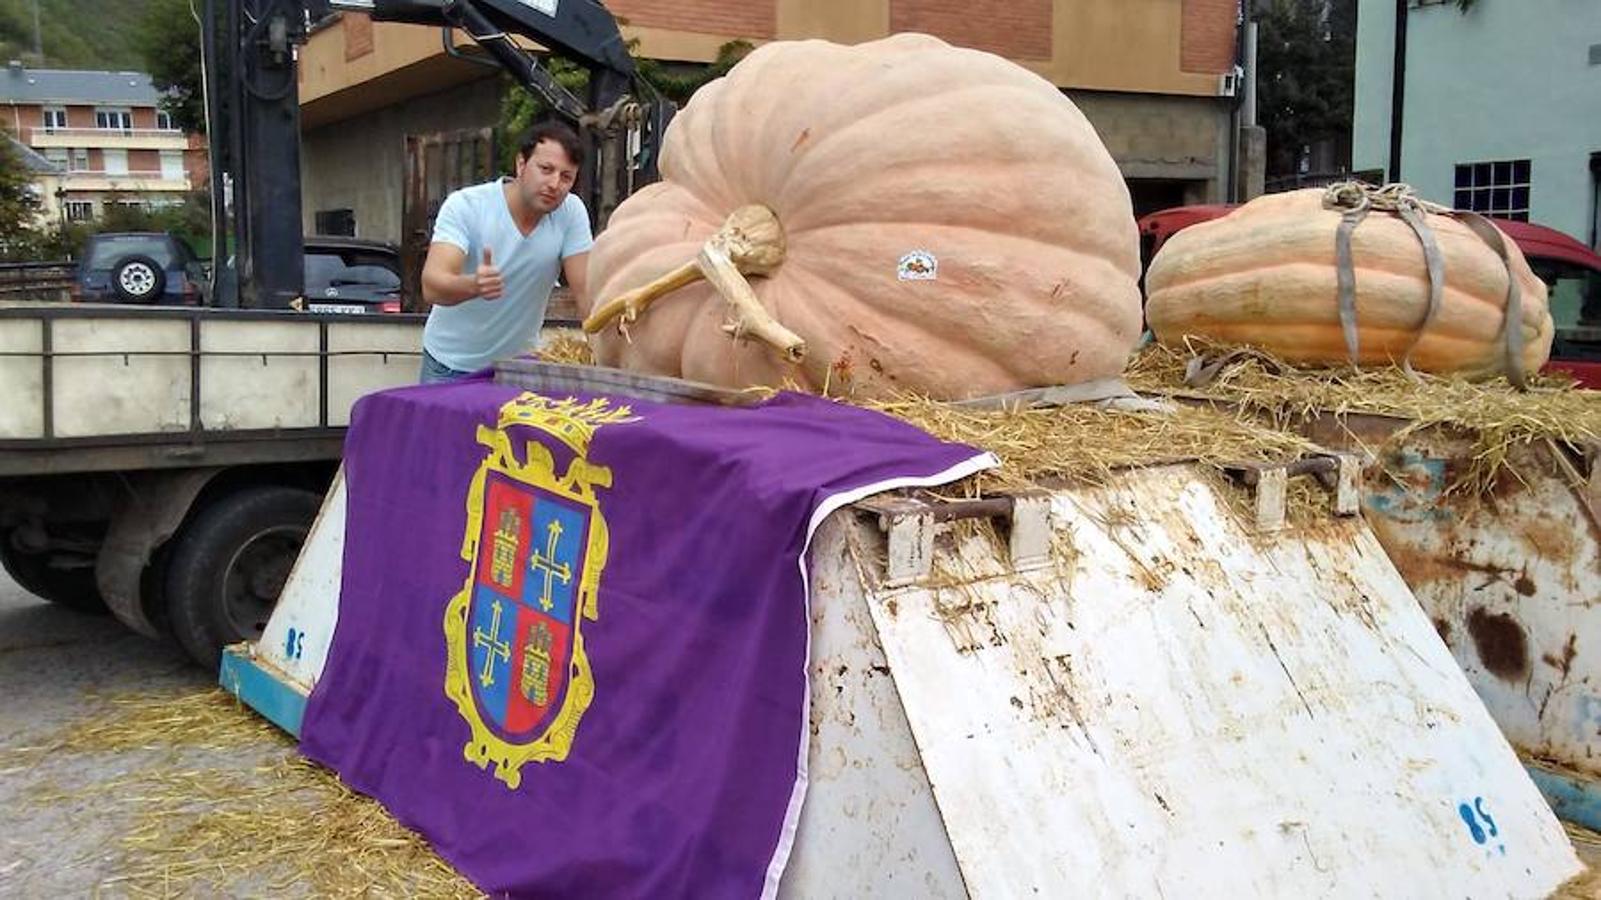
(1306, 78)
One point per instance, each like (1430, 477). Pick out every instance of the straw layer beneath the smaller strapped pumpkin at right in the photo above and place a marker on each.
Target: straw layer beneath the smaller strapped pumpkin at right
(1498, 417)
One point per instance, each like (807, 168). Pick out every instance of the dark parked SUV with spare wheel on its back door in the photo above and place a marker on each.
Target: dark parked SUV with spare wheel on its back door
(146, 268)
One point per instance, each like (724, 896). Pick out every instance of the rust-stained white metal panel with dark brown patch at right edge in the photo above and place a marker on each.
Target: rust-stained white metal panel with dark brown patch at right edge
(1512, 582)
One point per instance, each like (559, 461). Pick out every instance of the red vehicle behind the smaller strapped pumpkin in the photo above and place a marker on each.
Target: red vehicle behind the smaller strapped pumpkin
(1570, 270)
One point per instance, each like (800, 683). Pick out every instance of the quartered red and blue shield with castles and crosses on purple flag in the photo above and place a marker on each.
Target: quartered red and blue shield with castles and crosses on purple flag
(524, 617)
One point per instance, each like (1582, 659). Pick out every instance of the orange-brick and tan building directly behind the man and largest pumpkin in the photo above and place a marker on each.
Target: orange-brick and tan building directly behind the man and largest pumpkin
(1157, 79)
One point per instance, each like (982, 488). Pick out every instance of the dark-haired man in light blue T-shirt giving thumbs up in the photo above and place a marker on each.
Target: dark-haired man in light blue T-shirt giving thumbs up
(496, 257)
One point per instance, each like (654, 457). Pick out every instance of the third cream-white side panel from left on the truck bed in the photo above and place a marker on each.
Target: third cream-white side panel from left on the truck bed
(271, 385)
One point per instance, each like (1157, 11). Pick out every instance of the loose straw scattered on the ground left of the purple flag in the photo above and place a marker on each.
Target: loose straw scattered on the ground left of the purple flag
(217, 827)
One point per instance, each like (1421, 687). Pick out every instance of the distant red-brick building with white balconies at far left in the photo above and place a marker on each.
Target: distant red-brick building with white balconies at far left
(108, 137)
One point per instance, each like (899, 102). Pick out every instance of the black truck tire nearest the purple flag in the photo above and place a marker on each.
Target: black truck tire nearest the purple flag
(230, 566)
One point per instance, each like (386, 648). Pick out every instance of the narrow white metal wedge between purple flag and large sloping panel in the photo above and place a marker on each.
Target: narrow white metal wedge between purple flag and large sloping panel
(870, 826)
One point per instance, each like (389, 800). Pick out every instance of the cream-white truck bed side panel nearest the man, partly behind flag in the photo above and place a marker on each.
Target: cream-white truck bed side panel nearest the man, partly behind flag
(371, 355)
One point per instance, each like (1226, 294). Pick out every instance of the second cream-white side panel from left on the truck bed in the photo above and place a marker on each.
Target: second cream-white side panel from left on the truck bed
(137, 382)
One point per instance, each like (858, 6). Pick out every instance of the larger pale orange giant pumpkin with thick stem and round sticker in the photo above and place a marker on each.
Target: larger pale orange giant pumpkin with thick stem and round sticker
(894, 215)
